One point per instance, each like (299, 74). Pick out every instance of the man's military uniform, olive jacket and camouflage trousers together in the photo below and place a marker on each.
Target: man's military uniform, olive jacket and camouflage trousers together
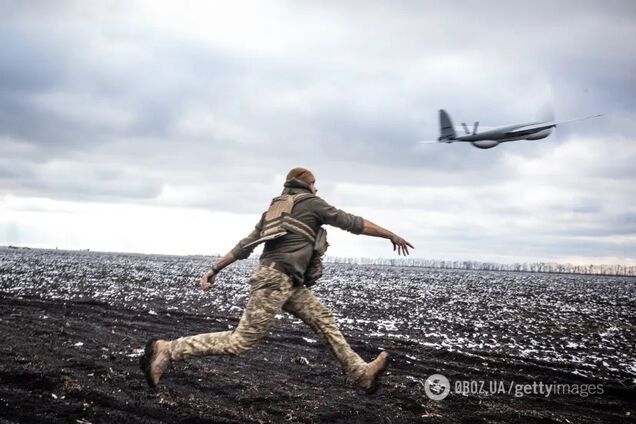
(277, 285)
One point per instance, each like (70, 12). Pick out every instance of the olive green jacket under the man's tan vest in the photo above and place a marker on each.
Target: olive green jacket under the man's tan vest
(292, 252)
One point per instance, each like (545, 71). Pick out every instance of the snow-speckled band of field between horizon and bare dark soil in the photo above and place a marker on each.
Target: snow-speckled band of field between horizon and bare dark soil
(578, 324)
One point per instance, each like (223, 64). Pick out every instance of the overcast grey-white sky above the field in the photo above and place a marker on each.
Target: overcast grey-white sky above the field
(166, 127)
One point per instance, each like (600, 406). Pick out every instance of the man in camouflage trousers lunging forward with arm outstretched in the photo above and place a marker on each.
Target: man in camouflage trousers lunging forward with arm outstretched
(292, 232)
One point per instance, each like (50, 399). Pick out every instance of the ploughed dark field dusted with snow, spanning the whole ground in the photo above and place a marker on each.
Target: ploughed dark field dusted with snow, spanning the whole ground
(463, 324)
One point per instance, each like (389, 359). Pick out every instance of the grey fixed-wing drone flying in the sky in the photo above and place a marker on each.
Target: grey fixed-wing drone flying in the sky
(493, 136)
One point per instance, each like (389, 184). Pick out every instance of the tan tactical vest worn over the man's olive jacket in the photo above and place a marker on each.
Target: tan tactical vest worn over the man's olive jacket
(278, 220)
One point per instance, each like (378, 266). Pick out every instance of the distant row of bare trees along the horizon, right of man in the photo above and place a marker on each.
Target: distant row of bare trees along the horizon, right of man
(550, 267)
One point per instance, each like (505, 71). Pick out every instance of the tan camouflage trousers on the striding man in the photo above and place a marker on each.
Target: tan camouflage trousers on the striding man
(271, 291)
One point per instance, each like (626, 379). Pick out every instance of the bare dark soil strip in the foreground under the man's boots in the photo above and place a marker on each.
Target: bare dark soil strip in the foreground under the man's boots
(47, 376)
